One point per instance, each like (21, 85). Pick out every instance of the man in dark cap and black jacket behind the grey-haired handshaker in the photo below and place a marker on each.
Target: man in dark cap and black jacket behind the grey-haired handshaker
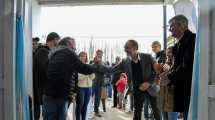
(40, 63)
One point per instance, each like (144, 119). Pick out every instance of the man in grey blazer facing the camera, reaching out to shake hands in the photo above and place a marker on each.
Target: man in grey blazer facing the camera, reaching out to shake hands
(141, 74)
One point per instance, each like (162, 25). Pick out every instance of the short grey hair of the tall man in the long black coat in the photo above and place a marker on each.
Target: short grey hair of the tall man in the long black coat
(181, 20)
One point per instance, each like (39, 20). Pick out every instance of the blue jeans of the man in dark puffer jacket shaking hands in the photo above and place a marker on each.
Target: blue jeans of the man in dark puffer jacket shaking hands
(55, 108)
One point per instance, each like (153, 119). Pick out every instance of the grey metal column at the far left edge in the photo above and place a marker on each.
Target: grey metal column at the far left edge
(7, 37)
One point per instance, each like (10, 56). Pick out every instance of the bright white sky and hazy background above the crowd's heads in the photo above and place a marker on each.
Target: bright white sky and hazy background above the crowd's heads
(105, 27)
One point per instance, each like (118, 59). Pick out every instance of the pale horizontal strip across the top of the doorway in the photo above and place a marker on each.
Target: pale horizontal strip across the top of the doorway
(99, 2)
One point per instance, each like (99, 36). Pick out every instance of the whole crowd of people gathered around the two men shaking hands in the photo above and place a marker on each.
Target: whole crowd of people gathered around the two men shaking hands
(161, 83)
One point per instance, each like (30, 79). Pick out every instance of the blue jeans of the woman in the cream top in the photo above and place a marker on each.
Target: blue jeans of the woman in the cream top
(82, 101)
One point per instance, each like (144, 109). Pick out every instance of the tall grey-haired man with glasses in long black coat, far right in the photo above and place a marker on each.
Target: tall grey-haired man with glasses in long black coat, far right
(181, 73)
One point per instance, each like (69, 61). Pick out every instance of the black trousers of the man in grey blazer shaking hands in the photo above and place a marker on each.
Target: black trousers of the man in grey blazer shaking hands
(138, 105)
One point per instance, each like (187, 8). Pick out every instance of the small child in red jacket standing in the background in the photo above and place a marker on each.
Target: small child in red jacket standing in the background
(121, 87)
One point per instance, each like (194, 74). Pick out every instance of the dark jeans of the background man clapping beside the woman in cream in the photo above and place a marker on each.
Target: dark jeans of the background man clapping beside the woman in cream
(97, 91)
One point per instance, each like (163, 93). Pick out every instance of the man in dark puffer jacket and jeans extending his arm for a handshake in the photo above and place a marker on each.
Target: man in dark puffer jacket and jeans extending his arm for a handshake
(63, 68)
